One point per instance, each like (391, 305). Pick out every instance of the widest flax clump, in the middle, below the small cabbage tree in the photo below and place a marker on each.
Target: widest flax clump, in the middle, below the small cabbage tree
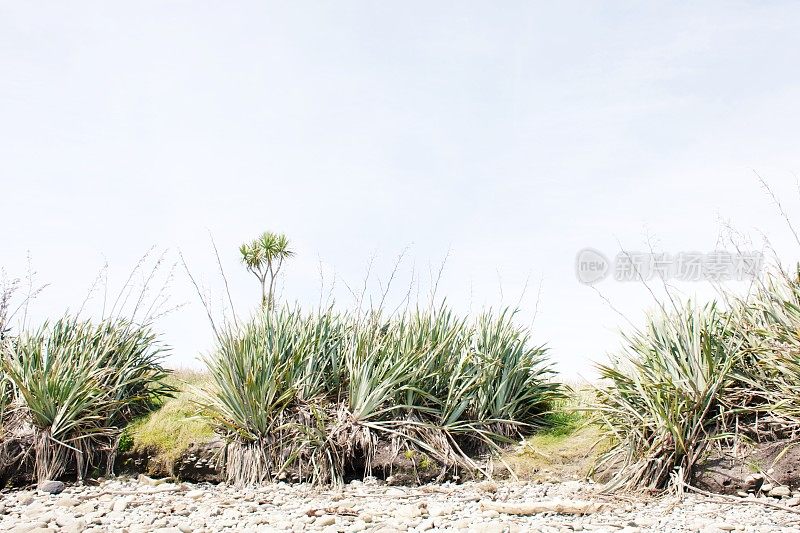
(315, 392)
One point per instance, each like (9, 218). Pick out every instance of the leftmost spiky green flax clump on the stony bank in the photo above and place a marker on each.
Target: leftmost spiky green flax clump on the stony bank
(77, 383)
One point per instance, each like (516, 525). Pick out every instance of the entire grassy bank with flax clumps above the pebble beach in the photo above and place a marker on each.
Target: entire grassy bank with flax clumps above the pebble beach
(320, 393)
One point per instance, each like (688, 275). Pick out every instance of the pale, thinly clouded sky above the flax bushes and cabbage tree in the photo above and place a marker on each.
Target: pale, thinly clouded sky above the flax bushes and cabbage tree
(512, 135)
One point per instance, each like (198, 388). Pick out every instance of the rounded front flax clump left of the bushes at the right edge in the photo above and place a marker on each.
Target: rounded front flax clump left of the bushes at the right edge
(665, 399)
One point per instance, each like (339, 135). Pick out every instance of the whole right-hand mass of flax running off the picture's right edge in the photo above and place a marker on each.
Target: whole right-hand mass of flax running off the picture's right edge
(702, 375)
